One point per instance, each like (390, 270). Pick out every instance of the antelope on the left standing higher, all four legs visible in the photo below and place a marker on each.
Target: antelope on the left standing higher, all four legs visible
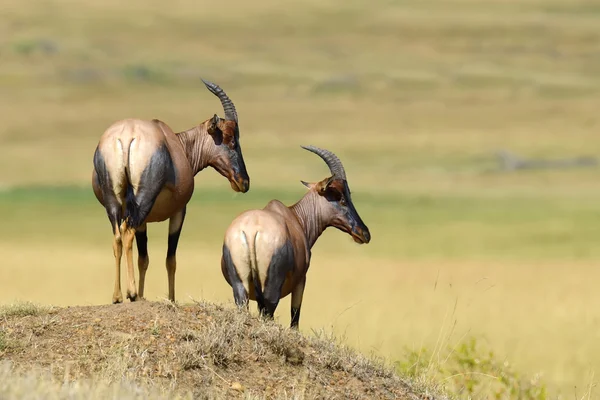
(144, 172)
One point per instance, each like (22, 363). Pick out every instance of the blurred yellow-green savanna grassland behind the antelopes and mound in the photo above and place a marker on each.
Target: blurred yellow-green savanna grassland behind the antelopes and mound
(434, 106)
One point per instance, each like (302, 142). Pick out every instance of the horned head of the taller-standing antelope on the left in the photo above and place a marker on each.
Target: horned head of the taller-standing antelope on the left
(226, 154)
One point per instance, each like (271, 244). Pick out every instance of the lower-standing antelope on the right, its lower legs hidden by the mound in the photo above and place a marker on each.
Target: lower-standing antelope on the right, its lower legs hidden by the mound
(266, 253)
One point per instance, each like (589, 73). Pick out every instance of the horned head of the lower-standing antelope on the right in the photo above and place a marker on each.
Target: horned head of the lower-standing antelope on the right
(337, 207)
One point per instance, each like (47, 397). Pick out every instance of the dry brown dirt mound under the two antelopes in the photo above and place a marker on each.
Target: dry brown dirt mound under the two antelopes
(204, 349)
